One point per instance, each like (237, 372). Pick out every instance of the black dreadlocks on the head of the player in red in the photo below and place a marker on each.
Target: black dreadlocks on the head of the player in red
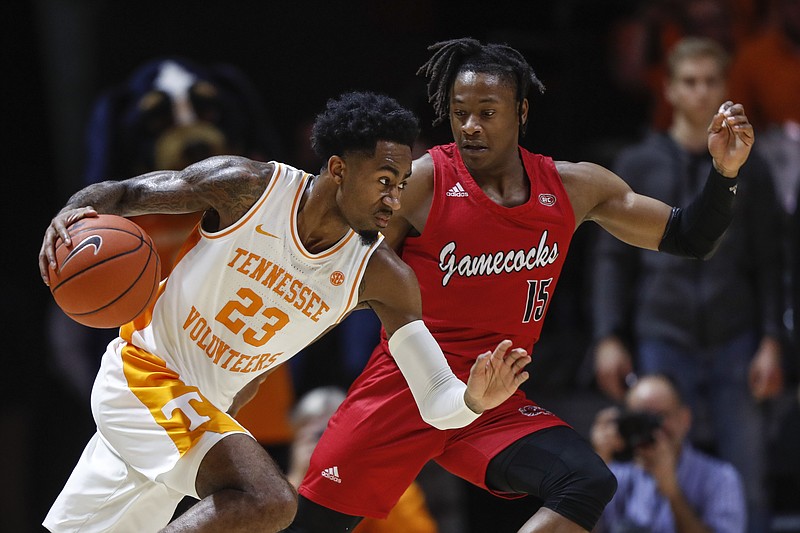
(458, 55)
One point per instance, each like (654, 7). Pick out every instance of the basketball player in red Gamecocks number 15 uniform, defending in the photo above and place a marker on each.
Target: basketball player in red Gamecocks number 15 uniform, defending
(486, 226)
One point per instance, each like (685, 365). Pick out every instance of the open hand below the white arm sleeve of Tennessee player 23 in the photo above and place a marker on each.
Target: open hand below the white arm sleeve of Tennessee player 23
(495, 376)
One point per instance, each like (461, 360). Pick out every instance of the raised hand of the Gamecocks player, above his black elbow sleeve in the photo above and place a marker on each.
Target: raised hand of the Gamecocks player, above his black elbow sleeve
(730, 138)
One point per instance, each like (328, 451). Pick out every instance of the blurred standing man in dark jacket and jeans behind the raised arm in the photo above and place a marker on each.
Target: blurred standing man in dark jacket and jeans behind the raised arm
(715, 324)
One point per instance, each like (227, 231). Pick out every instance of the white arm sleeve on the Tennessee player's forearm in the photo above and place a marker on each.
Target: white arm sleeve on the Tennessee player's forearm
(438, 392)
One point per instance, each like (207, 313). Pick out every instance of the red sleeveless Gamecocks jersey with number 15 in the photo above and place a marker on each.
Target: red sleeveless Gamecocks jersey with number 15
(488, 272)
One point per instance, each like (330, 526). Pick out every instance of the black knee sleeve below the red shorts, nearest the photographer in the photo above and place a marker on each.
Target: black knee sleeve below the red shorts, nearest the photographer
(560, 468)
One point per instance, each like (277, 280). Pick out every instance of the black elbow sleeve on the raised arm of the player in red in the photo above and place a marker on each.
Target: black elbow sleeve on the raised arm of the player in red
(696, 230)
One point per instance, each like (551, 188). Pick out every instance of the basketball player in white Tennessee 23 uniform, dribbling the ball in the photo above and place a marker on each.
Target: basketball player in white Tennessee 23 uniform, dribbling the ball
(279, 257)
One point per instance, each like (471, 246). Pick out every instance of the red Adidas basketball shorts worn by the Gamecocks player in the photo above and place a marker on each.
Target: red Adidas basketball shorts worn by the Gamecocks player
(376, 443)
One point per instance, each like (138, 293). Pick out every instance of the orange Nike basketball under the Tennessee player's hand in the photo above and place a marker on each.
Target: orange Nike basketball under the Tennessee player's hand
(109, 275)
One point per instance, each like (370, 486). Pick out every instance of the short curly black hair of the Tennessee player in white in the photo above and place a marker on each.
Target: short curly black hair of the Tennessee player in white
(356, 121)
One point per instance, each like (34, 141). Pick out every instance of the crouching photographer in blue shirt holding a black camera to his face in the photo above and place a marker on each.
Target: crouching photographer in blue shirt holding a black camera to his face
(665, 485)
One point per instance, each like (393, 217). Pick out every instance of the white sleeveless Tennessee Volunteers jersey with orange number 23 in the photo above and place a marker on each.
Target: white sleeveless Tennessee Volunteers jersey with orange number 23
(245, 299)
